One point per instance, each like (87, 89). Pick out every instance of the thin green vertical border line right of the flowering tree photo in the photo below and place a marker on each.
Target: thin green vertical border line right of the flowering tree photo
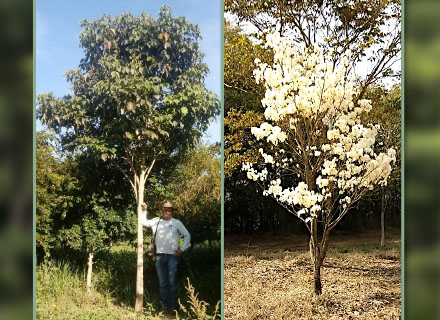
(402, 162)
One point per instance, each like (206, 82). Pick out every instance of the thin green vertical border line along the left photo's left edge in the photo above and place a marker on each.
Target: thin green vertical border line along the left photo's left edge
(34, 146)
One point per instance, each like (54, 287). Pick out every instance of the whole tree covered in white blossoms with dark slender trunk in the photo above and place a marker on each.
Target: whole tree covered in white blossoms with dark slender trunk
(320, 158)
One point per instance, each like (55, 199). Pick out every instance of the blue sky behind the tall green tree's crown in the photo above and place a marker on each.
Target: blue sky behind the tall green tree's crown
(57, 38)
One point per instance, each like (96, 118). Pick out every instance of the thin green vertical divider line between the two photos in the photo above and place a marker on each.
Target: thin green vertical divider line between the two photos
(222, 136)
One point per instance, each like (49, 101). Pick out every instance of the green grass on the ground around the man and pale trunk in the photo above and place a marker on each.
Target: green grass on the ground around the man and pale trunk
(61, 292)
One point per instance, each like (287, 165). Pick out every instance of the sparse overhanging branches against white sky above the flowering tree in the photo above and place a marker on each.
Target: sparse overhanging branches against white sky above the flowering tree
(370, 29)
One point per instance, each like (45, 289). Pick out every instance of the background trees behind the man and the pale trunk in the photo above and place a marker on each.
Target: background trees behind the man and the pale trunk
(82, 203)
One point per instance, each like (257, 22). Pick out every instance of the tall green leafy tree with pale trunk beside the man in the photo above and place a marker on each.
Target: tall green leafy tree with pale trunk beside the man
(138, 99)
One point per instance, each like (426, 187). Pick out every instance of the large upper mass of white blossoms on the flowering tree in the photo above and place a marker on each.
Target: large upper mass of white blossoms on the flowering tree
(303, 81)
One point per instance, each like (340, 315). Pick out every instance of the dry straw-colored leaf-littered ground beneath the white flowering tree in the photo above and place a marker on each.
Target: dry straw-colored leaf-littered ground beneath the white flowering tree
(359, 281)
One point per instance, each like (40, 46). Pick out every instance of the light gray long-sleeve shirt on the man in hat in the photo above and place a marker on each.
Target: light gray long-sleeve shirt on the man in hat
(168, 234)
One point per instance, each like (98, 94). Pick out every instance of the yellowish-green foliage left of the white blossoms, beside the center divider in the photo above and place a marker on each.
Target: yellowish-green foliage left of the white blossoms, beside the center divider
(242, 97)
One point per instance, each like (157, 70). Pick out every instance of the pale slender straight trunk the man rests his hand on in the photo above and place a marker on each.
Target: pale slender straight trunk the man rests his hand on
(140, 249)
